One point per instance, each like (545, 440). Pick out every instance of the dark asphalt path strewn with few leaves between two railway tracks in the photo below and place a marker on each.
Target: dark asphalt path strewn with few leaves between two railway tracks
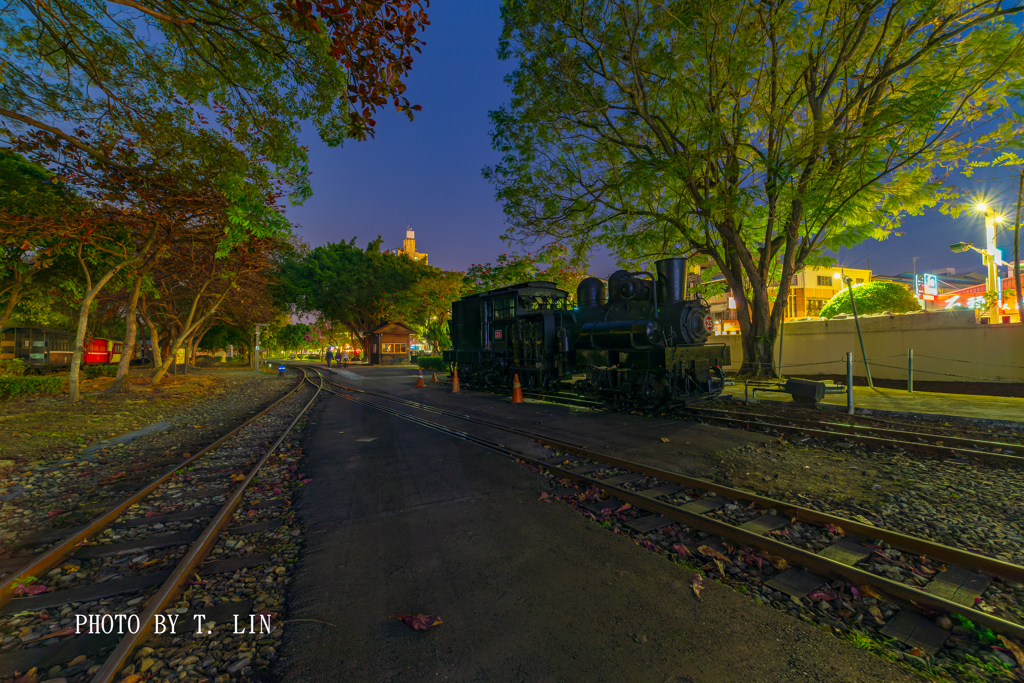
(417, 523)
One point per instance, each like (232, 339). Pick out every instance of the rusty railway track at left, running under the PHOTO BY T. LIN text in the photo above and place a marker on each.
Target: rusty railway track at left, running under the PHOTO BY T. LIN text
(69, 630)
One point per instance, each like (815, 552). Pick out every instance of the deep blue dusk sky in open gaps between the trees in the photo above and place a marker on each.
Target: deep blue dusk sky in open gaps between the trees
(426, 174)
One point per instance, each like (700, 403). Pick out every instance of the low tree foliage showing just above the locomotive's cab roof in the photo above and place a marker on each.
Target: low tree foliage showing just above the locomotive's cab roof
(551, 264)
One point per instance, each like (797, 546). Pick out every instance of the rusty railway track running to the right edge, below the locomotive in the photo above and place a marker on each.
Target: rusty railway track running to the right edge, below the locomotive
(799, 552)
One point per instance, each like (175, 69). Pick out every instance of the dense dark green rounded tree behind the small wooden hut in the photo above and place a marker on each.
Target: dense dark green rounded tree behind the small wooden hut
(355, 288)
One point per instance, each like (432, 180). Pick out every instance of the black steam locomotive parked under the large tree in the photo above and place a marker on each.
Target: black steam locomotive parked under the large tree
(639, 340)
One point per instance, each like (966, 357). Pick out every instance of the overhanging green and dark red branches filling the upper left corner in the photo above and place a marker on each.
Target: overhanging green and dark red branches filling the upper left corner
(259, 69)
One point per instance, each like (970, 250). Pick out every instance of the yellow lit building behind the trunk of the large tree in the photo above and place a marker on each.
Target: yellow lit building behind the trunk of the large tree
(810, 290)
